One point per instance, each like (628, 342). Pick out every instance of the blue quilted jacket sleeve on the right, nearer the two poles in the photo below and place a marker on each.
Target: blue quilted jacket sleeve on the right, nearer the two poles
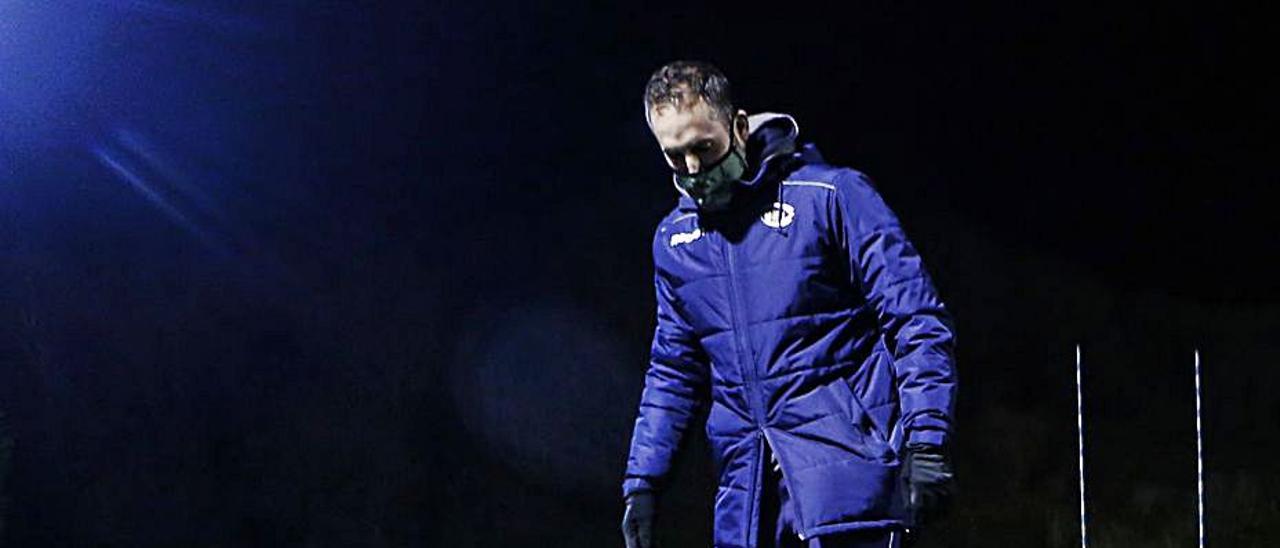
(916, 325)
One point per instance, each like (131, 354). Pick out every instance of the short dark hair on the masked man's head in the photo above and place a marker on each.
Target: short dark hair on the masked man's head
(676, 83)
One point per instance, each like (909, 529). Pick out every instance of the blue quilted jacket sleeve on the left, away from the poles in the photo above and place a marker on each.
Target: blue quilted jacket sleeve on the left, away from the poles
(675, 387)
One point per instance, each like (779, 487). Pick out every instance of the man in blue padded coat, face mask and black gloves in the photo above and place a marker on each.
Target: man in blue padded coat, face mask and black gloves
(793, 304)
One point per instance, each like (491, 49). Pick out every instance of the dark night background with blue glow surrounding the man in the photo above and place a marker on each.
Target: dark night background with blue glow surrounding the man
(378, 273)
